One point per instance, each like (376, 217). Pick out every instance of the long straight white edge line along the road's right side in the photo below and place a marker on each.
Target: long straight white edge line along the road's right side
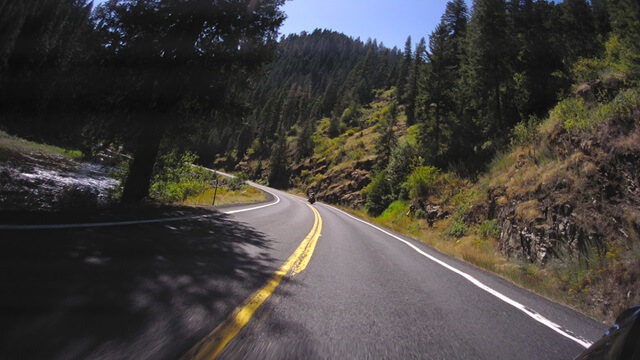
(534, 315)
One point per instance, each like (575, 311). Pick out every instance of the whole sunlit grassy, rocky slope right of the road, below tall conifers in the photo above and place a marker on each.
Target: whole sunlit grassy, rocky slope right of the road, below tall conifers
(557, 211)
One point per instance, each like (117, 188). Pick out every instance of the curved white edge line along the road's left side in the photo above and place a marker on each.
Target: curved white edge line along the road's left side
(132, 222)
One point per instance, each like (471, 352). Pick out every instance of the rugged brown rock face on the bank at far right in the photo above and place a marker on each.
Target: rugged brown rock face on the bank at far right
(591, 203)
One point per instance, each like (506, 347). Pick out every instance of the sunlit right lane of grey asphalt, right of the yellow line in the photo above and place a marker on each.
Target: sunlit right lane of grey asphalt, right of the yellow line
(367, 295)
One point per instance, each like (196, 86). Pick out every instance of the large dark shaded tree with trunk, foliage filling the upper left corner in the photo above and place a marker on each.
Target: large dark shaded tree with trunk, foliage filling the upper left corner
(139, 76)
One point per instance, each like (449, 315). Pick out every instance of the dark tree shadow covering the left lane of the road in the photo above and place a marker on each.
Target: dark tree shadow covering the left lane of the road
(141, 291)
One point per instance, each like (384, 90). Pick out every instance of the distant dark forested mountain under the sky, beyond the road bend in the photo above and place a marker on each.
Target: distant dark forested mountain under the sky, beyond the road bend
(313, 75)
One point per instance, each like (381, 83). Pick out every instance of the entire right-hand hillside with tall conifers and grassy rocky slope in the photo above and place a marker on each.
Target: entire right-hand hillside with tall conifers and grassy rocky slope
(527, 168)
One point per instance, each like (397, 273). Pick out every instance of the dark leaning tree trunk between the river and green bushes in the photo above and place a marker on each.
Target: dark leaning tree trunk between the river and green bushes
(138, 182)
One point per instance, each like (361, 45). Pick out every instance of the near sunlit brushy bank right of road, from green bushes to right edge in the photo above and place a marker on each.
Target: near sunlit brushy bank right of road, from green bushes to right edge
(556, 212)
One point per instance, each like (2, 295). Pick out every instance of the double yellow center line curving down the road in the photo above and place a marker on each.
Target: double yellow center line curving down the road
(212, 345)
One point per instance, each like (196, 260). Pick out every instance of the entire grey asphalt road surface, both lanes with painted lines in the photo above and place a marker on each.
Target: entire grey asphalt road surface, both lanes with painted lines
(157, 290)
